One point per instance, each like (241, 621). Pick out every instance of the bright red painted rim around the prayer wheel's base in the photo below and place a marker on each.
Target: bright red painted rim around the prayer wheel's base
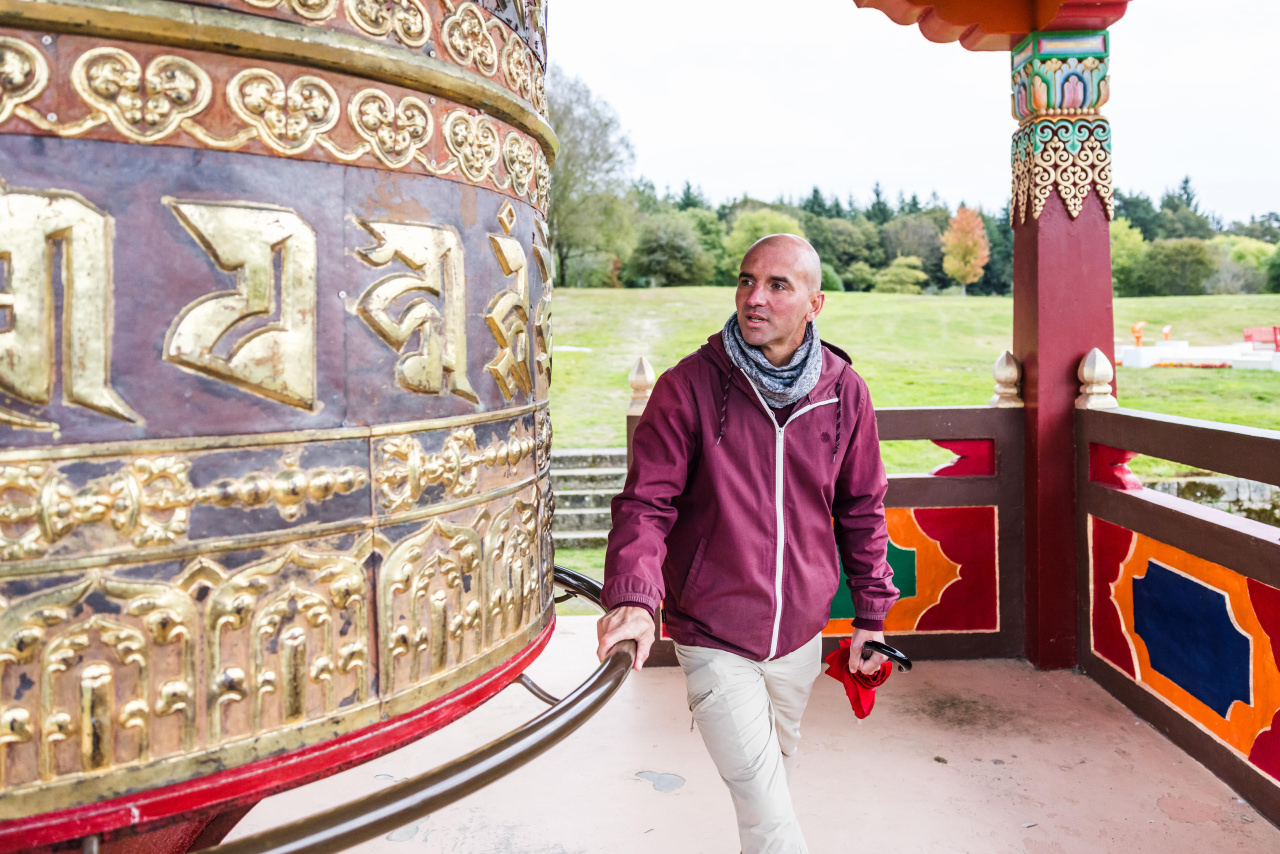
(252, 783)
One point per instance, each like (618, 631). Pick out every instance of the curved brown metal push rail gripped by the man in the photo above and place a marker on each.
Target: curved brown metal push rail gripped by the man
(413, 800)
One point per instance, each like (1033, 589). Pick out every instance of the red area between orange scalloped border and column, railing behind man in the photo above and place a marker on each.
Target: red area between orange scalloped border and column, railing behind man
(968, 537)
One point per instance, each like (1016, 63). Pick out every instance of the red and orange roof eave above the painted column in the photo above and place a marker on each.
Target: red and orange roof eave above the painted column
(998, 25)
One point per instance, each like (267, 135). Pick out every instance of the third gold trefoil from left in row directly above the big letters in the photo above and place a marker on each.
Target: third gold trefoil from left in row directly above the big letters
(287, 118)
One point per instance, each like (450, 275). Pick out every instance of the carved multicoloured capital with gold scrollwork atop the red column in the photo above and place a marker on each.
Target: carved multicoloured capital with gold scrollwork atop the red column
(1063, 144)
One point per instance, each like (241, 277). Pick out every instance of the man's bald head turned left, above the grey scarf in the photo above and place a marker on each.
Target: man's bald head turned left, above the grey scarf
(775, 300)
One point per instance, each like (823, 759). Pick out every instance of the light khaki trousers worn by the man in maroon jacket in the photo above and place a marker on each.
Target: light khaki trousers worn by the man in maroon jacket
(749, 718)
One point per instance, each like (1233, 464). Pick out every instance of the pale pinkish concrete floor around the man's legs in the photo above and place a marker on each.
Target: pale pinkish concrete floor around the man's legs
(958, 757)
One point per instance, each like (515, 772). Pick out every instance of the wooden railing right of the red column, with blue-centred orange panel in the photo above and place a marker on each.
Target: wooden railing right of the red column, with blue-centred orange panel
(1180, 602)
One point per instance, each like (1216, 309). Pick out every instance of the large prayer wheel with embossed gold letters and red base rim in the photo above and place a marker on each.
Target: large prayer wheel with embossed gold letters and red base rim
(275, 364)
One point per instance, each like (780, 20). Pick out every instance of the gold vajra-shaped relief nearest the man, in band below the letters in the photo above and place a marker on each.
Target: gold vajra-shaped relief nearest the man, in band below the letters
(406, 471)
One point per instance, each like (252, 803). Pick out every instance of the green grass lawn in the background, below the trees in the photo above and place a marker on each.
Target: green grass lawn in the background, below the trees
(912, 351)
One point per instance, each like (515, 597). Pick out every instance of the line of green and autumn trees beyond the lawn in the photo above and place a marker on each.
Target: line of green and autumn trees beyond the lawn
(612, 231)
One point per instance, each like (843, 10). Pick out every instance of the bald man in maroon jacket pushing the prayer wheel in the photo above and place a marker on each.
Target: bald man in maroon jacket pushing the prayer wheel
(756, 464)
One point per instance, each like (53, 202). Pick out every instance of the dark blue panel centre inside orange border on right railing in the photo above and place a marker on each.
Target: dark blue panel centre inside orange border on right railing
(1191, 638)
